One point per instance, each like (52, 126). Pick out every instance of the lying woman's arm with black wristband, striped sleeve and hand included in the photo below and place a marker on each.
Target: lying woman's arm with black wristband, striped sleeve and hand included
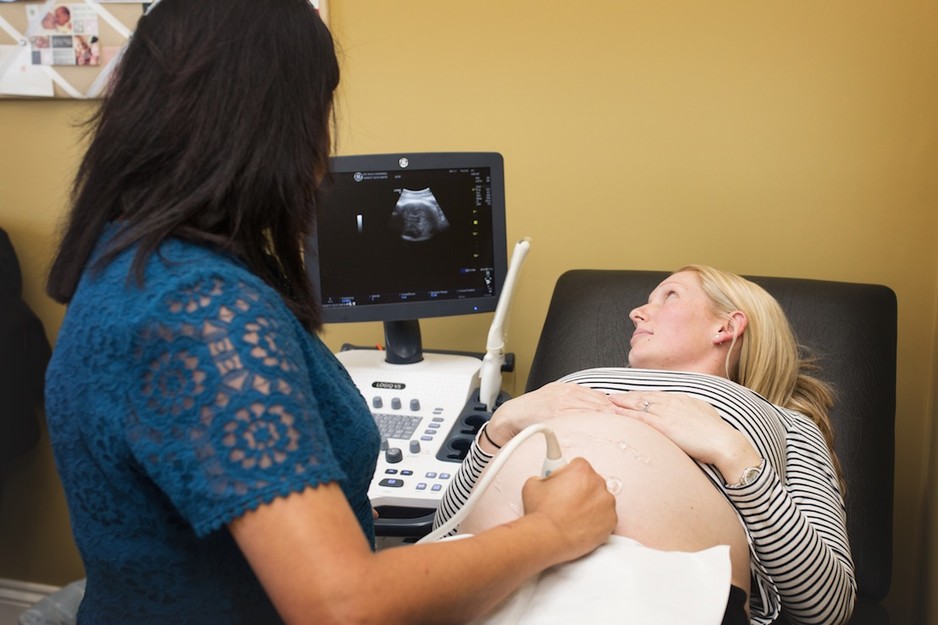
(543, 404)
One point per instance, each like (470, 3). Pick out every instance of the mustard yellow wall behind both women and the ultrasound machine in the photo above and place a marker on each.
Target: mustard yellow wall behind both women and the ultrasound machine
(774, 138)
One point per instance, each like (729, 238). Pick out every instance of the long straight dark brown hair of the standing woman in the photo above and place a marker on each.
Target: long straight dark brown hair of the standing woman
(215, 129)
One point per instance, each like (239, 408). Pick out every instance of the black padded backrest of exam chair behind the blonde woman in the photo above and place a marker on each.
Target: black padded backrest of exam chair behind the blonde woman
(851, 328)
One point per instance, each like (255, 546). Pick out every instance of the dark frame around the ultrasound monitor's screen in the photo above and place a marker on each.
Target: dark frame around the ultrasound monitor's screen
(415, 310)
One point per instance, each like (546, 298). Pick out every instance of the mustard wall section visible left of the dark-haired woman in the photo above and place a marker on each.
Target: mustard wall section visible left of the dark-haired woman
(38, 154)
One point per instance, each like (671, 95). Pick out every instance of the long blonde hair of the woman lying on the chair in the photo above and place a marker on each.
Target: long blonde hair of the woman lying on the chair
(771, 362)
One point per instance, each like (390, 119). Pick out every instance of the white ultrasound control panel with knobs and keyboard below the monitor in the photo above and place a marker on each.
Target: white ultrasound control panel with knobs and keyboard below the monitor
(428, 414)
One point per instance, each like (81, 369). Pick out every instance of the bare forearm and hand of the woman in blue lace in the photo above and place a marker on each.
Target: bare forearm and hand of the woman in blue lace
(316, 566)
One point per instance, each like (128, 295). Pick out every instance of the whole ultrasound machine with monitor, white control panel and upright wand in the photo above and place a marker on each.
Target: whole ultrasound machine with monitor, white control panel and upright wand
(400, 238)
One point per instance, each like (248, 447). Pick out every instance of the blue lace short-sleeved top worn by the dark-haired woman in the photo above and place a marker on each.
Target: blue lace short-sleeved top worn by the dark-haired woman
(174, 408)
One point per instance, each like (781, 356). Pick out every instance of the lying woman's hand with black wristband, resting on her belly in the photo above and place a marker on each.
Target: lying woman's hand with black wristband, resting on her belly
(543, 404)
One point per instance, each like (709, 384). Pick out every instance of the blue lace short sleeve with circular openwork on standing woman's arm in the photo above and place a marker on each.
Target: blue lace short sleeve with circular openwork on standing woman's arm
(224, 418)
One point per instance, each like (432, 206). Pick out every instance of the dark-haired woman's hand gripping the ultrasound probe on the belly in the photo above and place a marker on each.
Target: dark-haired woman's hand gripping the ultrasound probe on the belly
(577, 506)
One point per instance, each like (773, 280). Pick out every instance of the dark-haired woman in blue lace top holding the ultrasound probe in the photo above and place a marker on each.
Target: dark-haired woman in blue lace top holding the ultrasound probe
(215, 455)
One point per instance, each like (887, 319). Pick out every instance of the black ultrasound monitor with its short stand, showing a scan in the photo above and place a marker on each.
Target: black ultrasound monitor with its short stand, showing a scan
(401, 237)
